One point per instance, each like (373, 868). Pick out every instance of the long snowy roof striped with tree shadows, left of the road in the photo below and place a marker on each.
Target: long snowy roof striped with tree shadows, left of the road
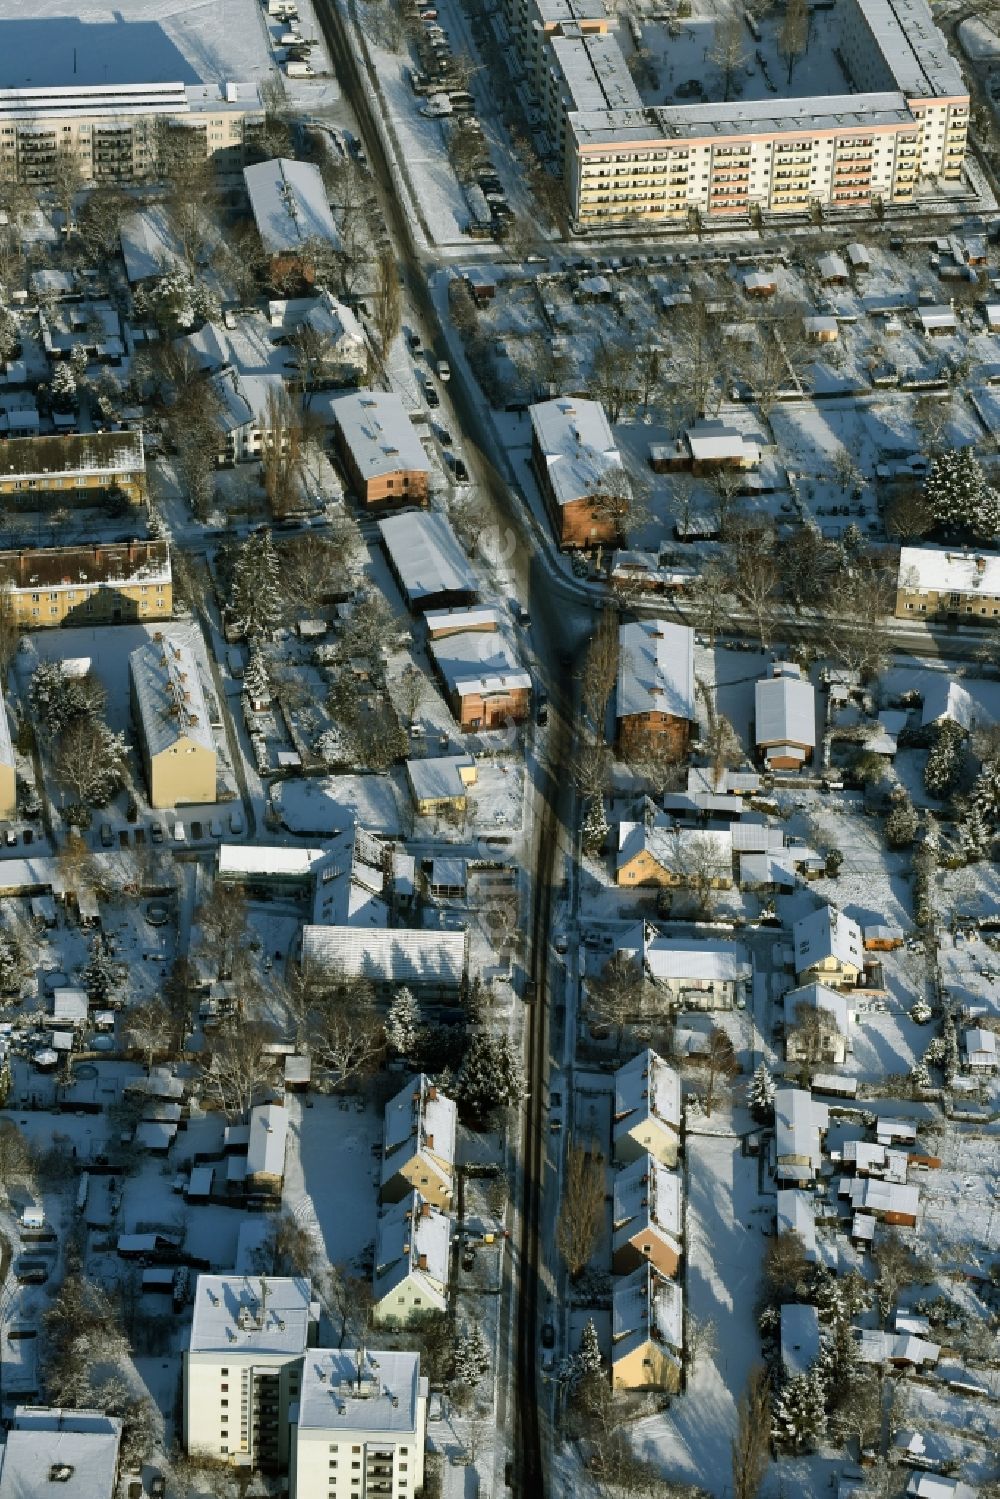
(388, 957)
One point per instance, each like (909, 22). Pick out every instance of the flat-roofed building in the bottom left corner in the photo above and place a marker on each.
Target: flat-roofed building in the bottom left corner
(73, 1453)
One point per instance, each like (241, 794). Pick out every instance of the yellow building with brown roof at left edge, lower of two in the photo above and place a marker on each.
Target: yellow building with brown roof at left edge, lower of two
(121, 582)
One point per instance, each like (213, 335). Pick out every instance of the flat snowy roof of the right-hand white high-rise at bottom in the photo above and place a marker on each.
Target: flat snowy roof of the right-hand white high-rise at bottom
(361, 1392)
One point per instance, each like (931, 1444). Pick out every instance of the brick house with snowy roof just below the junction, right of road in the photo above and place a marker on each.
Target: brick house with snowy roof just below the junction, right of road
(656, 684)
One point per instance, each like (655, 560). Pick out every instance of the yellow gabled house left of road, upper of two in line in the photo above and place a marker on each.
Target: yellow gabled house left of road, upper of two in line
(419, 1144)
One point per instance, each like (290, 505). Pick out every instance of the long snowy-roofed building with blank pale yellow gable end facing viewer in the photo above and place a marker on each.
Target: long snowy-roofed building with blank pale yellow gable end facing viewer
(172, 716)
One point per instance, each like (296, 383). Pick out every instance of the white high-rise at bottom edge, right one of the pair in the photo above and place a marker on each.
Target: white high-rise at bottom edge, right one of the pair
(361, 1426)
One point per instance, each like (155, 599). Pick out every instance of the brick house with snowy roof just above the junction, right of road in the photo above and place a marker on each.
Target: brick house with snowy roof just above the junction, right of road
(581, 471)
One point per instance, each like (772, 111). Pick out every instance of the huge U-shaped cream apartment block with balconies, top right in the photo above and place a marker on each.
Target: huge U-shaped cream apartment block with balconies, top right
(626, 161)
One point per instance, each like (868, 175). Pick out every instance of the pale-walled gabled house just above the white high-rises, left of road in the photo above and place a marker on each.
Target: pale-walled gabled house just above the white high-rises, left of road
(413, 1243)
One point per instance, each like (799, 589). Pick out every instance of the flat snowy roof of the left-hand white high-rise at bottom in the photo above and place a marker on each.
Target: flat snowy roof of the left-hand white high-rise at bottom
(251, 1315)
